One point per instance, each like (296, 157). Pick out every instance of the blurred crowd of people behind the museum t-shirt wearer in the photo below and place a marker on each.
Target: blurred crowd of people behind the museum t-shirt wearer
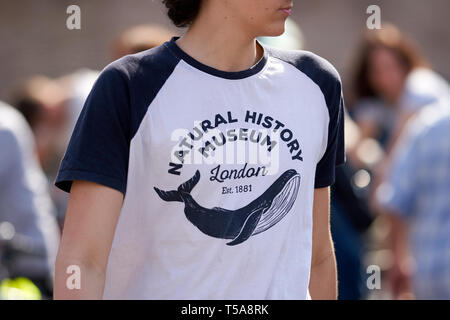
(390, 203)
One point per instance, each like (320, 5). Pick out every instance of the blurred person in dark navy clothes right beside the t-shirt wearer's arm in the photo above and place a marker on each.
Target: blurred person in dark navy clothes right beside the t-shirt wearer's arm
(351, 216)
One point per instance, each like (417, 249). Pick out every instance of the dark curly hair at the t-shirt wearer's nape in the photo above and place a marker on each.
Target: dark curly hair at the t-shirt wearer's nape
(182, 12)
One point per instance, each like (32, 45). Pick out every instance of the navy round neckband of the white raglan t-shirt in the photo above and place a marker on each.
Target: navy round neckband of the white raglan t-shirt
(232, 75)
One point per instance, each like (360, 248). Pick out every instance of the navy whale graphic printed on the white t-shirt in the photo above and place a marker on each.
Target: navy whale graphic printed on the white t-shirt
(238, 225)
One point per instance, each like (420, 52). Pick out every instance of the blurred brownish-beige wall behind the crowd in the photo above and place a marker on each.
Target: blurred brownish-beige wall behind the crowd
(34, 39)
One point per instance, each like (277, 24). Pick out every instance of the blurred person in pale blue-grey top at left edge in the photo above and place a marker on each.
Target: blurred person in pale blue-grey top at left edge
(27, 215)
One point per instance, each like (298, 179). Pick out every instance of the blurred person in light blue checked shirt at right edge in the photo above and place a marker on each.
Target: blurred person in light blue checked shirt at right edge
(416, 198)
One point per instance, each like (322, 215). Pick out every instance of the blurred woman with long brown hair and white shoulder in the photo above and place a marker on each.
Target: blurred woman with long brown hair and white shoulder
(392, 81)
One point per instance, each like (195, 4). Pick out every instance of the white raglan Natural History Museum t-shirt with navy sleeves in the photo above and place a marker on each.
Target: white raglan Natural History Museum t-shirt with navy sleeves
(218, 171)
